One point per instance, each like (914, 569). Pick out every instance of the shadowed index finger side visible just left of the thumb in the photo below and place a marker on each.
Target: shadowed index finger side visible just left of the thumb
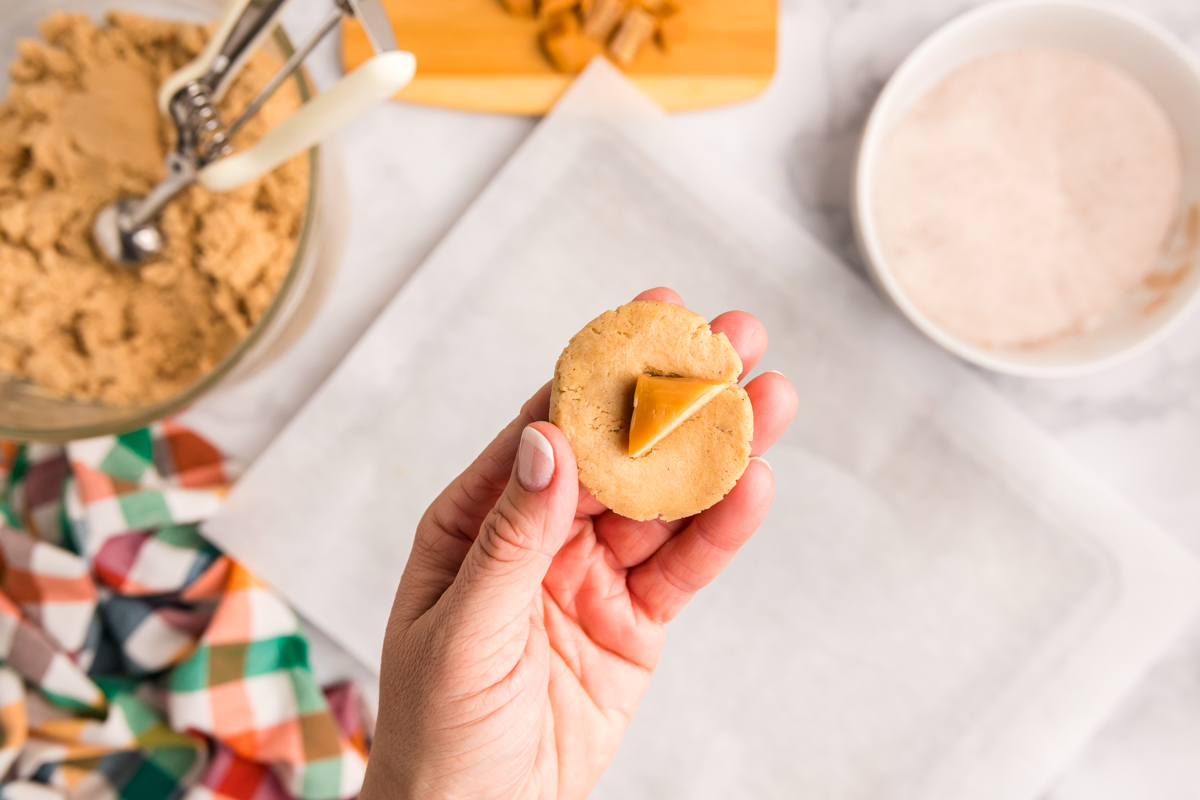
(452, 524)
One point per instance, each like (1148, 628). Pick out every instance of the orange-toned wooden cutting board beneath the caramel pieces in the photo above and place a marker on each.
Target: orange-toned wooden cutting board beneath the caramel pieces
(472, 55)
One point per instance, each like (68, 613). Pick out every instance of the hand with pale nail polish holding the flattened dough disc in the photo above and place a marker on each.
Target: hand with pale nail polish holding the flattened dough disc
(530, 618)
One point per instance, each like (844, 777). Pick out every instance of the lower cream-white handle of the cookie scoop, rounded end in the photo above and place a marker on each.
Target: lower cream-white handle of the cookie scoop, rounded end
(371, 85)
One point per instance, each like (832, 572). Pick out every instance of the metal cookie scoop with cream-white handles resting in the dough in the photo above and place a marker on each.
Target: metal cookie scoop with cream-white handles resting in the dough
(128, 231)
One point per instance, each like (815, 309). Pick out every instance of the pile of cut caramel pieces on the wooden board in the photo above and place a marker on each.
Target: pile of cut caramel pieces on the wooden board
(573, 32)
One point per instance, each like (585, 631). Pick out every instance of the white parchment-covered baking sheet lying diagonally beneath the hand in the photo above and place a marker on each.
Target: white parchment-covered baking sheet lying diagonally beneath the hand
(941, 604)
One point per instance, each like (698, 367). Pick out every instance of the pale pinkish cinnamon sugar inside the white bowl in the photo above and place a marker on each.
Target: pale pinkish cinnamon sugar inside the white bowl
(1027, 195)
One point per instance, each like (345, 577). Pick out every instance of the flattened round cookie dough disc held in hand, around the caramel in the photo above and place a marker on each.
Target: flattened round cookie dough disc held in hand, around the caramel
(592, 402)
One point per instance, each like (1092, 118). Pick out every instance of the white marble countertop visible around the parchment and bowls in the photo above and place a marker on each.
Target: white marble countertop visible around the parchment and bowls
(411, 172)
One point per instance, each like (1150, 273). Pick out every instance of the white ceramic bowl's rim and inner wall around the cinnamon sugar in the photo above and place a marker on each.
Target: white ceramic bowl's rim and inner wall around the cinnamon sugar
(1124, 39)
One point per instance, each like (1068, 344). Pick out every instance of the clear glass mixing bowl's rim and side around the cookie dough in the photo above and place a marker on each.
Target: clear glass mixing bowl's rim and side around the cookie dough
(31, 414)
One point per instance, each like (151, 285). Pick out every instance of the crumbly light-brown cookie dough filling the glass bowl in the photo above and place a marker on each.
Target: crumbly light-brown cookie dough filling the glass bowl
(81, 129)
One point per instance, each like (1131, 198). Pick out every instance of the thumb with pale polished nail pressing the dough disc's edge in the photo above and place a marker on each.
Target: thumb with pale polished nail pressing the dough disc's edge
(505, 569)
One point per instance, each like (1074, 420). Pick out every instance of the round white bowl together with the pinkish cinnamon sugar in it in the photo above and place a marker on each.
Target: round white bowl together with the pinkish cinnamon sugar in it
(1028, 188)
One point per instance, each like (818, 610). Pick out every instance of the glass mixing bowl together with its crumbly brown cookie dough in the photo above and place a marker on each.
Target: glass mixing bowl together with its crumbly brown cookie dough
(89, 348)
